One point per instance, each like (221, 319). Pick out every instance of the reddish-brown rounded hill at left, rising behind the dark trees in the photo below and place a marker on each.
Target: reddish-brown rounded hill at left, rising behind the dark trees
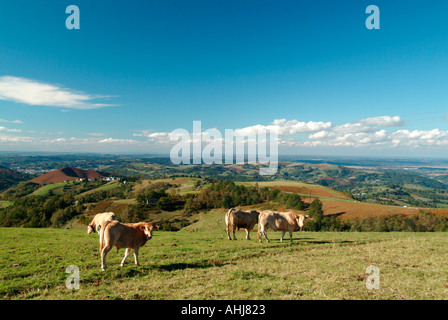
(67, 173)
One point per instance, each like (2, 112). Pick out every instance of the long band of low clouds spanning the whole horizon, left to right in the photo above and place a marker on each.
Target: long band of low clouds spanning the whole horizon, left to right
(370, 133)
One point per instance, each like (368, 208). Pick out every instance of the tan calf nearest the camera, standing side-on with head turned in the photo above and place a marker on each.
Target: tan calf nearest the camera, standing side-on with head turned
(120, 235)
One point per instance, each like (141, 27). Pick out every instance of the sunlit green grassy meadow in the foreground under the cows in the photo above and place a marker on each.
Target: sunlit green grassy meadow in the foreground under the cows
(199, 262)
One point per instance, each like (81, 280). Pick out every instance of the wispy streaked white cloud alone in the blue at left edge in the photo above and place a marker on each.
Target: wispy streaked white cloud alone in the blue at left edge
(32, 92)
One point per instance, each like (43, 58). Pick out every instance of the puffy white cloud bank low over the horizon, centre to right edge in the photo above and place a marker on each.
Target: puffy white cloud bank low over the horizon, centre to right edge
(367, 132)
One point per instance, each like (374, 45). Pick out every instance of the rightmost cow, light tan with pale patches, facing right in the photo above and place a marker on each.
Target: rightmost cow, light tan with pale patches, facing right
(280, 221)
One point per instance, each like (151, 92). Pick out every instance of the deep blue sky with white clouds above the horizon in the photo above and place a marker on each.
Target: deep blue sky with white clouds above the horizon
(135, 71)
